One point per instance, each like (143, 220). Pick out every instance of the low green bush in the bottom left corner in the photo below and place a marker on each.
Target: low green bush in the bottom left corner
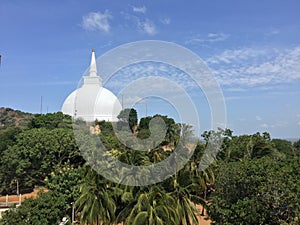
(47, 209)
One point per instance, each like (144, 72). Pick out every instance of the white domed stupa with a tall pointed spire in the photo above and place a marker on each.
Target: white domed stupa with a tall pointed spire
(92, 101)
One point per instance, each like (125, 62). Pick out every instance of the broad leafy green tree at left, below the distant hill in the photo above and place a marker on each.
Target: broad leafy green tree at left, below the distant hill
(35, 154)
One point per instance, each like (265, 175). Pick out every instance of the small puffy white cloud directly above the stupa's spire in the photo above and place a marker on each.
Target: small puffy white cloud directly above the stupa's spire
(97, 21)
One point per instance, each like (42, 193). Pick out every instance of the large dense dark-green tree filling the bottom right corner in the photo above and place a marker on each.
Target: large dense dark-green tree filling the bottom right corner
(257, 191)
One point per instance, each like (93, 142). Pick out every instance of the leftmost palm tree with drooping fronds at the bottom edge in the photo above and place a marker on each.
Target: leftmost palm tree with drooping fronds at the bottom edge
(96, 204)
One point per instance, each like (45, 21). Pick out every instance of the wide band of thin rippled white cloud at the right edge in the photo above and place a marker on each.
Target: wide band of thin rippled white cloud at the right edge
(250, 67)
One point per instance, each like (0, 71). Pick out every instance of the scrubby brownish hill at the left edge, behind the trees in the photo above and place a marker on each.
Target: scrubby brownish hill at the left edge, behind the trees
(14, 118)
